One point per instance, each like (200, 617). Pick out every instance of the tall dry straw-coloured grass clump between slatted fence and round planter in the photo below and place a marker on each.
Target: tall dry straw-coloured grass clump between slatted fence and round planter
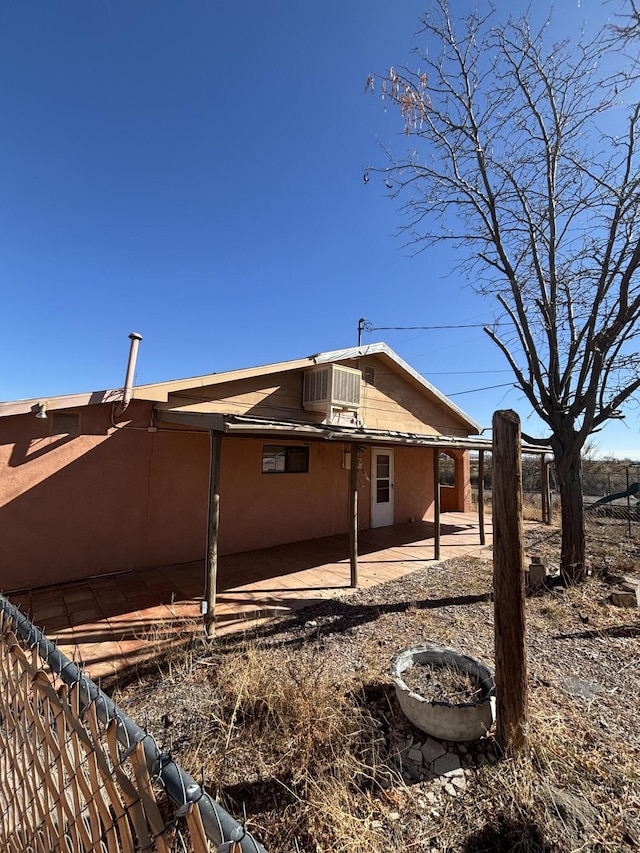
(283, 731)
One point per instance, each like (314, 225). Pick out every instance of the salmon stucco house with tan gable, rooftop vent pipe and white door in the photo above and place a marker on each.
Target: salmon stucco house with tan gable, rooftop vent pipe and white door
(115, 480)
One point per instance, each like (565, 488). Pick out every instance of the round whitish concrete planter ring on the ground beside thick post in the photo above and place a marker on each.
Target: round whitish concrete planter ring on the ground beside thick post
(445, 720)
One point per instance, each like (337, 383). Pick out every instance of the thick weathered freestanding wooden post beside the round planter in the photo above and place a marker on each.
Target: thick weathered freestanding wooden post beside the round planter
(509, 584)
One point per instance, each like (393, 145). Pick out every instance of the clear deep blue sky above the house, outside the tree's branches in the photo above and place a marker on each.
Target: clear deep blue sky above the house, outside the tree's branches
(193, 171)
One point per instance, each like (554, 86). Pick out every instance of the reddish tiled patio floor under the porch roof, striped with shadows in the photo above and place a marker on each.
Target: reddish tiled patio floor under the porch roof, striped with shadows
(112, 622)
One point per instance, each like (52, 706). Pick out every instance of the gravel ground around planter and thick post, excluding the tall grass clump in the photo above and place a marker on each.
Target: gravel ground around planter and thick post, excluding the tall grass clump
(584, 683)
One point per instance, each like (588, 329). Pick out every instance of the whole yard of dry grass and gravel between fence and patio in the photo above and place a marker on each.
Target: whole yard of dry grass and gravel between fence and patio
(298, 723)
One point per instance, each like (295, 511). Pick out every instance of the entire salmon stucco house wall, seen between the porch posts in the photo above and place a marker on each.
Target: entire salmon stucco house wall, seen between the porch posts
(113, 499)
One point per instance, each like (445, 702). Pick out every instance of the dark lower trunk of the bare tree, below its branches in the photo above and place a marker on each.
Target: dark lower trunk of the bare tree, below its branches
(573, 552)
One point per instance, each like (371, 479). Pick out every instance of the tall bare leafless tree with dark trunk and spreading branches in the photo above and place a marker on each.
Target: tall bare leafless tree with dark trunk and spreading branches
(524, 157)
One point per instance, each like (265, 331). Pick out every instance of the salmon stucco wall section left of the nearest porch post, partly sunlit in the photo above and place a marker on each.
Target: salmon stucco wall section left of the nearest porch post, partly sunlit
(106, 500)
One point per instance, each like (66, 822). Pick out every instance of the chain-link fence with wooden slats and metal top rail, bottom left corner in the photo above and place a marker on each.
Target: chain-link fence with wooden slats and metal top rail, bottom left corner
(78, 775)
